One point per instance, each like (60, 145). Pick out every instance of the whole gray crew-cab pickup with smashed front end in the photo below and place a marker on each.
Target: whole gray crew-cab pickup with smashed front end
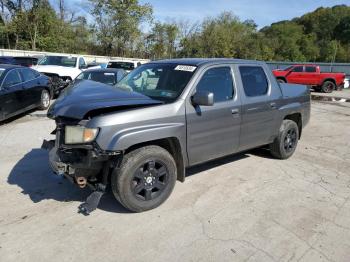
(165, 116)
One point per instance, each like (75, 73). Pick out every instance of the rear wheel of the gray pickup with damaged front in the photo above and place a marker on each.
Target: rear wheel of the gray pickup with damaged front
(285, 144)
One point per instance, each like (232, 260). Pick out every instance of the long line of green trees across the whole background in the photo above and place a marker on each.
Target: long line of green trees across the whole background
(322, 35)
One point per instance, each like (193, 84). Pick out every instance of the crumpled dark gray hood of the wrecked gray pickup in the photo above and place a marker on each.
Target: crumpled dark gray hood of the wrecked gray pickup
(85, 96)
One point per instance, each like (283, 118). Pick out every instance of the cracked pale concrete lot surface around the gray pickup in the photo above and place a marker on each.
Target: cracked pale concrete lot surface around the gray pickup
(247, 207)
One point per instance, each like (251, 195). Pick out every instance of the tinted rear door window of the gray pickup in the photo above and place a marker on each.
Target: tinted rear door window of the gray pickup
(254, 80)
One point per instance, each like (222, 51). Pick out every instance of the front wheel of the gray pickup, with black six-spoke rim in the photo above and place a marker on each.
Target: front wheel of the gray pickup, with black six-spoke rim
(145, 178)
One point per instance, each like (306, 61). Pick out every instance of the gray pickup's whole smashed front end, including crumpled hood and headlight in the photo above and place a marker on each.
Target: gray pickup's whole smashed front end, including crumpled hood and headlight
(75, 153)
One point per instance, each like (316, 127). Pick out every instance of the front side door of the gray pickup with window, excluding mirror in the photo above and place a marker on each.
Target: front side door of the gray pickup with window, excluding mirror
(213, 131)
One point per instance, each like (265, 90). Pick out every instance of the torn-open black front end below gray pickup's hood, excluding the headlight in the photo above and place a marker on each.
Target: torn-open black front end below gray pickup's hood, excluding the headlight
(82, 164)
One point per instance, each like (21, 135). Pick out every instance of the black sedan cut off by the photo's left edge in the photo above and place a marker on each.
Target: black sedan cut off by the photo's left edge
(22, 89)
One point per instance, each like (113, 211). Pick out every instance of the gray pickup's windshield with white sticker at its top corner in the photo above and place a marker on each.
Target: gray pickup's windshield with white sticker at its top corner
(163, 82)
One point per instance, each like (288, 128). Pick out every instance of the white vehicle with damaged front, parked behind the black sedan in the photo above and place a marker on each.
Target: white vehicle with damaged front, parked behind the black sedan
(61, 69)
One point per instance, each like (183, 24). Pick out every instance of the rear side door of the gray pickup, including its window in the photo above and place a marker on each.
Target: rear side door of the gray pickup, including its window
(259, 106)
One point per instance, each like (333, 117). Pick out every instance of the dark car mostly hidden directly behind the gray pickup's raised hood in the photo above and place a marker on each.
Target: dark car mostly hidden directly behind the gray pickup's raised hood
(109, 76)
